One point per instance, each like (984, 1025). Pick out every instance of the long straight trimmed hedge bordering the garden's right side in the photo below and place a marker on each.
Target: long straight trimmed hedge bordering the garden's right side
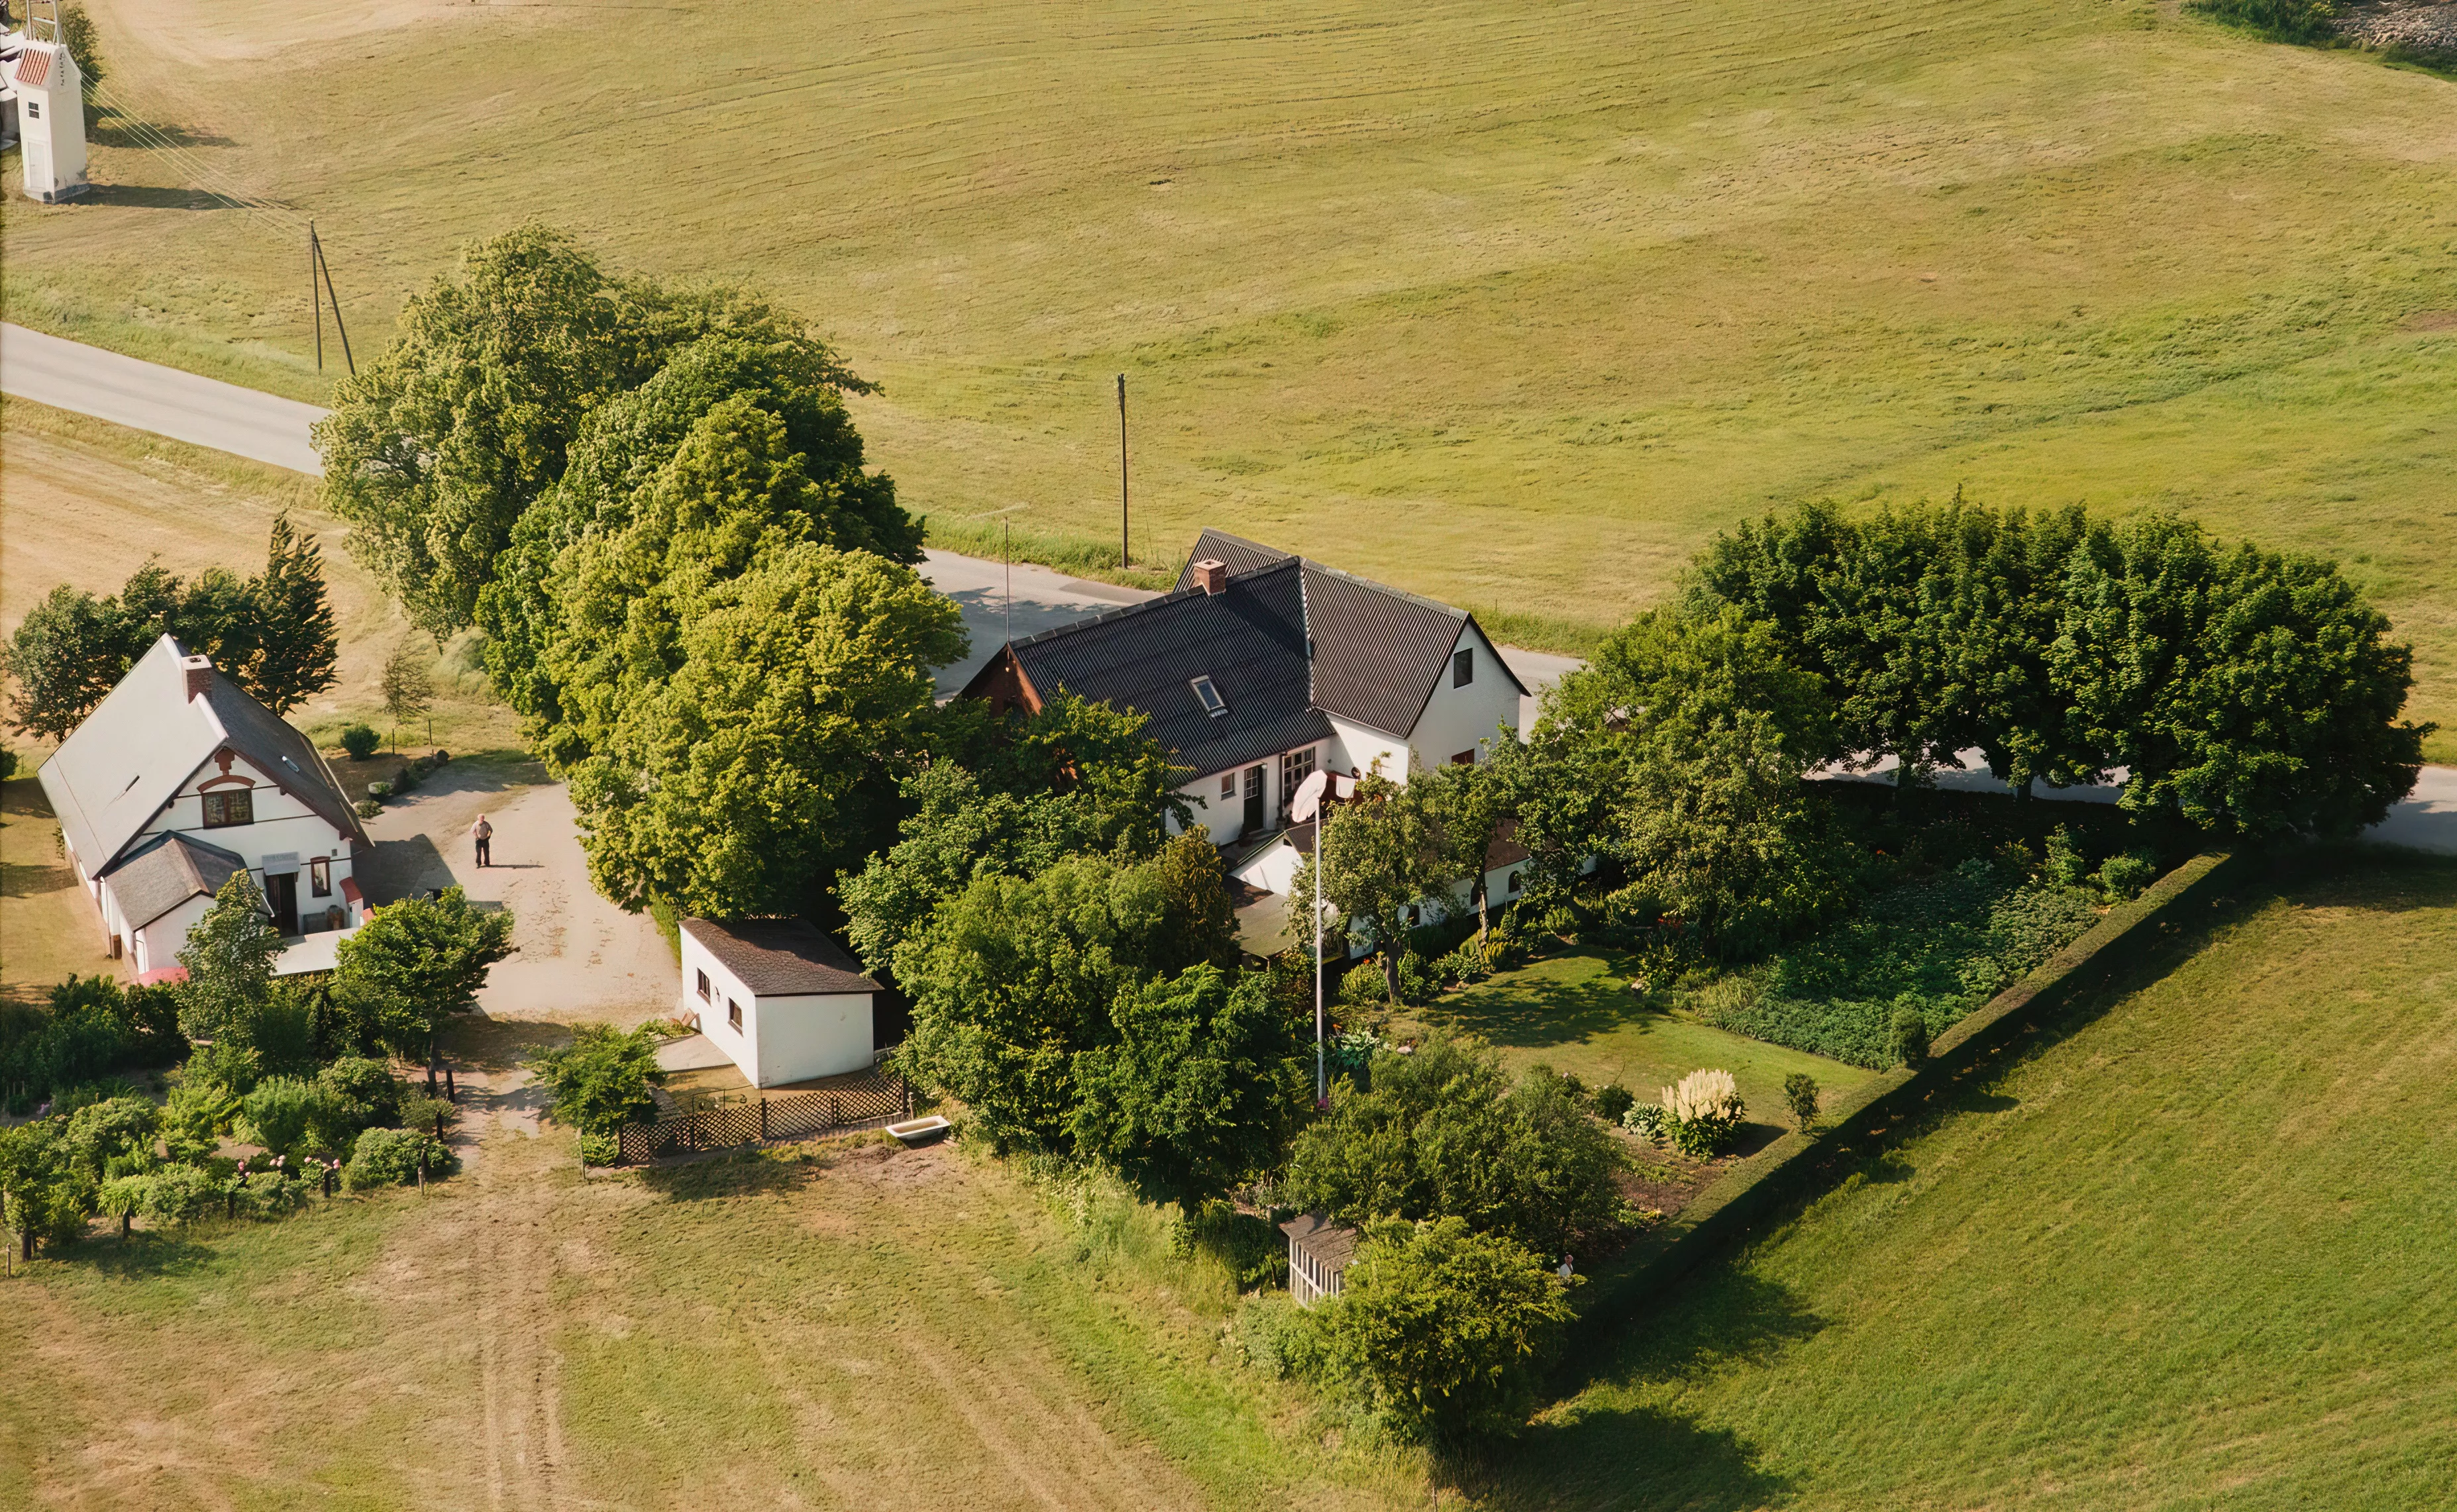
(1787, 1170)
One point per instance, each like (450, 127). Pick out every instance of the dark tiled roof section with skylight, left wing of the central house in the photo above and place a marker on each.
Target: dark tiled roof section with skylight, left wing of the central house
(1249, 642)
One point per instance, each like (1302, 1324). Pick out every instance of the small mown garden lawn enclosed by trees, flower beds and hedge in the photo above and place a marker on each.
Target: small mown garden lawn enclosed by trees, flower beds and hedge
(1576, 1015)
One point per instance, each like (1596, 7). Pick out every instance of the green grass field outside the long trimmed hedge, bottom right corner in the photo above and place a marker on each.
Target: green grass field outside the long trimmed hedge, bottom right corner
(2193, 1251)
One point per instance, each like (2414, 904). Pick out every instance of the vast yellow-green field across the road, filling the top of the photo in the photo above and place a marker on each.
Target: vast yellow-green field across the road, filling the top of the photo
(1505, 303)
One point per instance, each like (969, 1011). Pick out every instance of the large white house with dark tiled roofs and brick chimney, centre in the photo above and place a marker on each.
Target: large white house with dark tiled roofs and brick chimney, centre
(1262, 669)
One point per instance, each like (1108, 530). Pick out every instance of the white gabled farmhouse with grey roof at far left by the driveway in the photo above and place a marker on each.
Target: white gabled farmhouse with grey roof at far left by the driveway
(181, 782)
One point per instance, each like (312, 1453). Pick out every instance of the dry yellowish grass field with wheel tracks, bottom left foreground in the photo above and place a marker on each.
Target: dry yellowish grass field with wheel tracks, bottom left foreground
(869, 1327)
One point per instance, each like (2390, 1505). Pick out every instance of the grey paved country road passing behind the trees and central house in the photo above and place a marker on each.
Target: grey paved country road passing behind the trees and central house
(230, 418)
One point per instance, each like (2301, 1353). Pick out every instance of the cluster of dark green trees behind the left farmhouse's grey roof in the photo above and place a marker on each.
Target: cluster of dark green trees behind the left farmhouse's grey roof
(274, 634)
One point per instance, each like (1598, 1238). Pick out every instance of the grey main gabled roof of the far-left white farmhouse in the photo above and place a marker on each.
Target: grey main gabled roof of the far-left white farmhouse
(141, 745)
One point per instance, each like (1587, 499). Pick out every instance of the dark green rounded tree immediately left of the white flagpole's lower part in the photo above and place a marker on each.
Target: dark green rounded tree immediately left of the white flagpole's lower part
(1198, 1091)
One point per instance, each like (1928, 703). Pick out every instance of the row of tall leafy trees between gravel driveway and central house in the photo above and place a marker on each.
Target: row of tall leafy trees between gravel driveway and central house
(694, 593)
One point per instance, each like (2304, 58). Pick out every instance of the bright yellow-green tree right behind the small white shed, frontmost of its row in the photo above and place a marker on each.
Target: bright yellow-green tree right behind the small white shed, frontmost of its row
(765, 762)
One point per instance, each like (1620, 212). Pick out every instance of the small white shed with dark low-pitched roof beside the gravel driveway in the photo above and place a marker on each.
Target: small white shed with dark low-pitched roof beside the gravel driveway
(780, 998)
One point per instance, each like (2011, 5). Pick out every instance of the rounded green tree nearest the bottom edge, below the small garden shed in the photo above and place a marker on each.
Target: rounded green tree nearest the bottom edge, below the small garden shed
(1446, 1329)
